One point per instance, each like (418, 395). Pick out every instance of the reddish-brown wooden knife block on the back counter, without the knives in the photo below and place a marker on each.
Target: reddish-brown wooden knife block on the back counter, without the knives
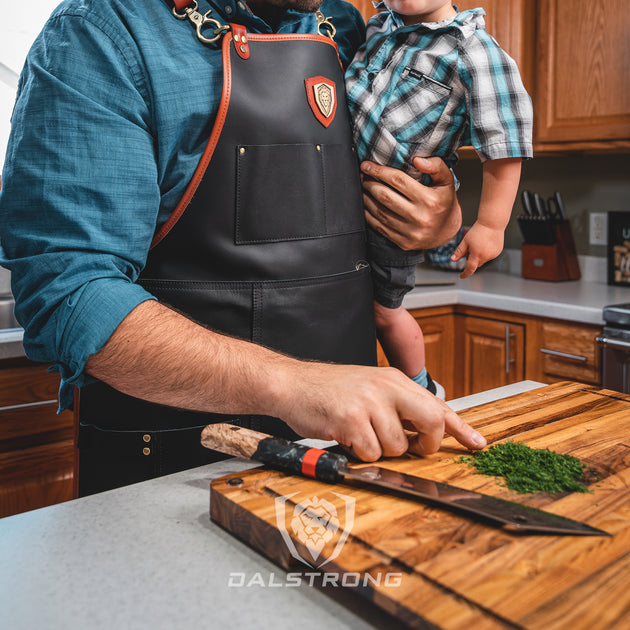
(555, 263)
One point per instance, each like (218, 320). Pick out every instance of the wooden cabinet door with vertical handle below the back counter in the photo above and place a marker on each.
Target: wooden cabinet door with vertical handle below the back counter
(494, 353)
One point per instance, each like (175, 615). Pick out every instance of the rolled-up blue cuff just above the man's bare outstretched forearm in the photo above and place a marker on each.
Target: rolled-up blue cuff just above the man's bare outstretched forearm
(86, 320)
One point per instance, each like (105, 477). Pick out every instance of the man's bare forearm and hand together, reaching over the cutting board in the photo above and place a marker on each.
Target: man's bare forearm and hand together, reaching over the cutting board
(159, 355)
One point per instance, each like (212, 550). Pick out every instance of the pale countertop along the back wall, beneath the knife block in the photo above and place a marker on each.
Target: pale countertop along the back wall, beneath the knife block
(576, 300)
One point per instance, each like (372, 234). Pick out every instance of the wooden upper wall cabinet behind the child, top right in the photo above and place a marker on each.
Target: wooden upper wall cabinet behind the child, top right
(574, 56)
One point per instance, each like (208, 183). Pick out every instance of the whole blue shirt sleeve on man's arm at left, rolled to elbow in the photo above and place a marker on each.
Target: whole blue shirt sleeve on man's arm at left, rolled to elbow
(80, 193)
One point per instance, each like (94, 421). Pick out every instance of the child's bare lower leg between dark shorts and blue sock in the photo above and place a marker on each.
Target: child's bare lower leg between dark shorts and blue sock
(401, 338)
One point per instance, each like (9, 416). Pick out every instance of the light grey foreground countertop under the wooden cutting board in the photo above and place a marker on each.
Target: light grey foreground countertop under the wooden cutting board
(148, 556)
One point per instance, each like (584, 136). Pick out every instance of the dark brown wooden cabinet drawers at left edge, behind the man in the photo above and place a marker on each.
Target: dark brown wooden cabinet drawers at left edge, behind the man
(36, 444)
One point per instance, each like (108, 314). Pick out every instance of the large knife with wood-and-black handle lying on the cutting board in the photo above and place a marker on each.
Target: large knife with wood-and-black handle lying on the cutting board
(333, 468)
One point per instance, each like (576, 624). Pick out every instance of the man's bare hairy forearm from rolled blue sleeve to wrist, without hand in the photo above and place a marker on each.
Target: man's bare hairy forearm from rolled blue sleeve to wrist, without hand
(159, 355)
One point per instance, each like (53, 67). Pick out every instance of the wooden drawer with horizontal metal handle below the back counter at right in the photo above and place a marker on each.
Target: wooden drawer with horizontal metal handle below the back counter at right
(570, 351)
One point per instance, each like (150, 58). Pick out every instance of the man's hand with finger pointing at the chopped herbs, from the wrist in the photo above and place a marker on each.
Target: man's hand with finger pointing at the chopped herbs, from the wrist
(365, 409)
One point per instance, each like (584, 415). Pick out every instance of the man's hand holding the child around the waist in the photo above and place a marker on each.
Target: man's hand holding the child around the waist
(412, 215)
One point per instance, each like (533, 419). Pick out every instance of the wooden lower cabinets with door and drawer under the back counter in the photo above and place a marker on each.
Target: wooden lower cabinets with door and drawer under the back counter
(473, 349)
